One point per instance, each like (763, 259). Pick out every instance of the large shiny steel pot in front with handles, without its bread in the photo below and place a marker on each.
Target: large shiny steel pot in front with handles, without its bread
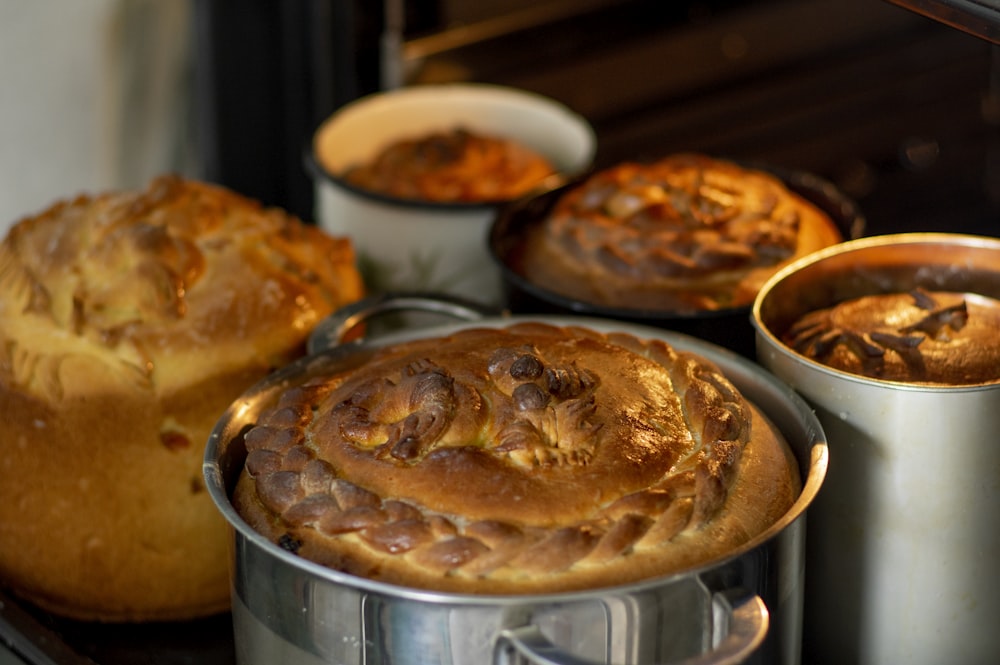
(744, 607)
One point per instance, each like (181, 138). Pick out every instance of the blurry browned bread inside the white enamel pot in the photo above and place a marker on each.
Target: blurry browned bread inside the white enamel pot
(453, 166)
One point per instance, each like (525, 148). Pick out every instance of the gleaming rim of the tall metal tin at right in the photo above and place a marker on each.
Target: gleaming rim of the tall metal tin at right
(765, 335)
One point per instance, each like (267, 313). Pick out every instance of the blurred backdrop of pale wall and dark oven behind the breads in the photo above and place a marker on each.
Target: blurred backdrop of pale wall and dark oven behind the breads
(899, 110)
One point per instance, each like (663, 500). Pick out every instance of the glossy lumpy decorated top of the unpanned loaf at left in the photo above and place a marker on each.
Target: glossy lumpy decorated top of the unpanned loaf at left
(162, 287)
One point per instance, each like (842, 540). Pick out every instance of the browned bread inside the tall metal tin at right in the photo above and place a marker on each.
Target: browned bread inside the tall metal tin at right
(919, 337)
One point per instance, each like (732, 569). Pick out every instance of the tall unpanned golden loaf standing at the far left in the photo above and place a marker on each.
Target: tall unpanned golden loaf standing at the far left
(129, 321)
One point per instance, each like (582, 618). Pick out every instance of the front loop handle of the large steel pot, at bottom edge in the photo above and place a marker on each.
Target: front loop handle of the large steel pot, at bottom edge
(747, 617)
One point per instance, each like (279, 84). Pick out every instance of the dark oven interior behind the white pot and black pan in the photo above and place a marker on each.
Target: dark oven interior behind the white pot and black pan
(897, 108)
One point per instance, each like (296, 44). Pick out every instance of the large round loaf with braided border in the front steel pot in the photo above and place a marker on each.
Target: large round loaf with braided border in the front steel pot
(525, 459)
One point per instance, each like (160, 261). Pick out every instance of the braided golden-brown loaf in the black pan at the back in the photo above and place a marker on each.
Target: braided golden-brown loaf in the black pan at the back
(686, 233)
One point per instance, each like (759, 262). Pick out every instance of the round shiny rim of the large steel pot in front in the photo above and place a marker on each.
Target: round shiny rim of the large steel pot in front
(813, 460)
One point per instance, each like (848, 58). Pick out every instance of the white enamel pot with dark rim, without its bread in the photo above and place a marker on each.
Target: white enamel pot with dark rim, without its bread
(433, 245)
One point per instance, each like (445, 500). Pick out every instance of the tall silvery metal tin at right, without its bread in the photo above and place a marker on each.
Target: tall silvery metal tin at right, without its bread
(904, 540)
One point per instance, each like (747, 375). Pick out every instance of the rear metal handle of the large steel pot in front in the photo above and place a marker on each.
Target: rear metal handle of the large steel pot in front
(336, 329)
